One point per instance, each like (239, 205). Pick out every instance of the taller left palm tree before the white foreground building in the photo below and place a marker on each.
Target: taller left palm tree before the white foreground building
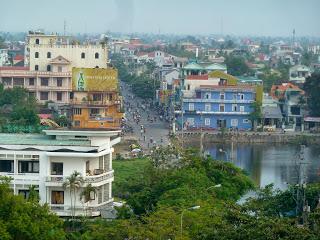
(73, 182)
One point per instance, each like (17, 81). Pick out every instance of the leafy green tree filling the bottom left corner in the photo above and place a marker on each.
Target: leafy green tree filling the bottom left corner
(26, 220)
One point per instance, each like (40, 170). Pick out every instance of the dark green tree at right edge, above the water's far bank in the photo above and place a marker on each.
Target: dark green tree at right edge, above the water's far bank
(312, 89)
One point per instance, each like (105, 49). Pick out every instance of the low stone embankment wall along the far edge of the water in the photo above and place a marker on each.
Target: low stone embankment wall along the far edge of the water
(250, 137)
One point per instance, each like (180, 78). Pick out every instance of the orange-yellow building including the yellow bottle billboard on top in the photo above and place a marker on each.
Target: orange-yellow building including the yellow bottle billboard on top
(95, 102)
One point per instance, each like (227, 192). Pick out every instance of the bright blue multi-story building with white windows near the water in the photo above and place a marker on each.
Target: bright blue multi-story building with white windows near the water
(215, 107)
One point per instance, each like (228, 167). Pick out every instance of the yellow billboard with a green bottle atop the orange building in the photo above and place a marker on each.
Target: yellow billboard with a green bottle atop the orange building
(94, 79)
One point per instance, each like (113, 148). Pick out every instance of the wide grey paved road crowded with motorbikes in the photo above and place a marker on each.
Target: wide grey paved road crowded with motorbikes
(156, 132)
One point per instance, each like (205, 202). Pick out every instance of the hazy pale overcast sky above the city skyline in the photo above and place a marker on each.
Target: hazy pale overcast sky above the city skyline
(236, 17)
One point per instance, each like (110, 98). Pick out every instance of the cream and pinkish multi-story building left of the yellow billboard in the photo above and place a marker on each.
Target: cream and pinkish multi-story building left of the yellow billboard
(49, 60)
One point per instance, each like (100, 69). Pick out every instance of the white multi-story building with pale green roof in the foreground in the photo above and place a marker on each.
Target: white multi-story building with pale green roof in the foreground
(46, 160)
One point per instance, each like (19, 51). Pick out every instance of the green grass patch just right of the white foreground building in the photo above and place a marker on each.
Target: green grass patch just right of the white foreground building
(125, 172)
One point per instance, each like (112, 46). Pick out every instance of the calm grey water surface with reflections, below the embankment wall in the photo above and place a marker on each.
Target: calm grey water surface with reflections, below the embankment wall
(269, 163)
